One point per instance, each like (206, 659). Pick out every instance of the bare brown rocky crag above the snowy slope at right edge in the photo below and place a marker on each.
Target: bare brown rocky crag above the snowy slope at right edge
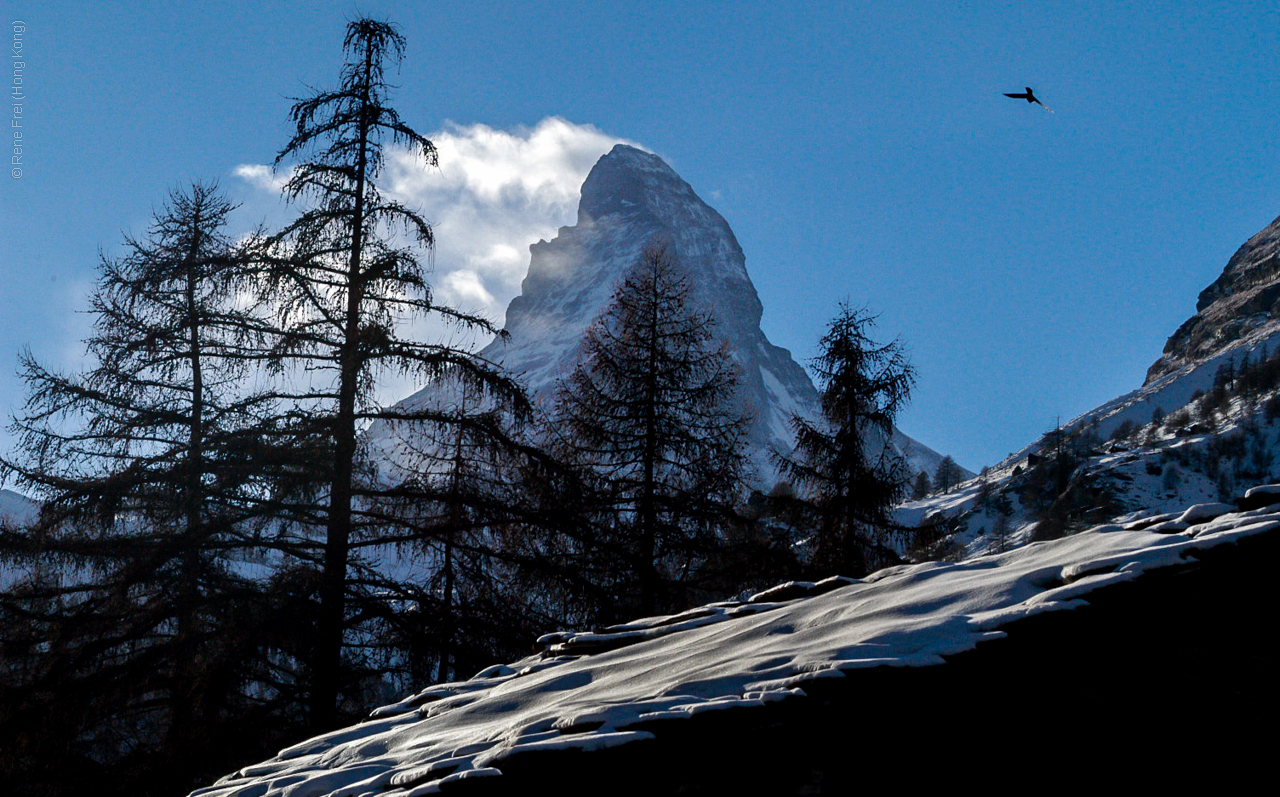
(1242, 305)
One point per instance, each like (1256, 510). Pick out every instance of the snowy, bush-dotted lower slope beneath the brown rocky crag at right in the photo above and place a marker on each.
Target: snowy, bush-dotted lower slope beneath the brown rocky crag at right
(1122, 460)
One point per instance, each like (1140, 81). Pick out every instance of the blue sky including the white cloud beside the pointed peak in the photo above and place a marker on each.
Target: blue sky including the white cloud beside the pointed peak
(1034, 263)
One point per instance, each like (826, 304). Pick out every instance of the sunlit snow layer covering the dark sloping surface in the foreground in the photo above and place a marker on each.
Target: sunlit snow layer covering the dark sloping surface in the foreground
(592, 691)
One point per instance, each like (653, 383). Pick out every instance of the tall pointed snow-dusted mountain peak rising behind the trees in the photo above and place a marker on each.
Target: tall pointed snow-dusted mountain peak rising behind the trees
(630, 199)
